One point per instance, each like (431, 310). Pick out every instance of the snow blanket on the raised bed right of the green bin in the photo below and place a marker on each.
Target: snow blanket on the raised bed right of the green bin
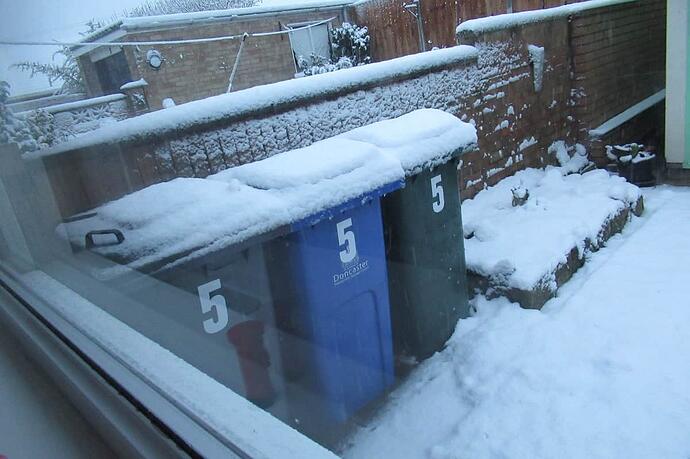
(523, 245)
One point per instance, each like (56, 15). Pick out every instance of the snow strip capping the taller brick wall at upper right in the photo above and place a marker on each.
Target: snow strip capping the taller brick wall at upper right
(507, 21)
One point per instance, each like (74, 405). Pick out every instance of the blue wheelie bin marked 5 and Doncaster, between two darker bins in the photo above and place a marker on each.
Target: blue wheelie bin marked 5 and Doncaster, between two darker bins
(341, 305)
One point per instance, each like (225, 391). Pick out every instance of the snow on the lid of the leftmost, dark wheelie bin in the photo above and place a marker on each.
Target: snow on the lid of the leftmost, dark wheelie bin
(179, 218)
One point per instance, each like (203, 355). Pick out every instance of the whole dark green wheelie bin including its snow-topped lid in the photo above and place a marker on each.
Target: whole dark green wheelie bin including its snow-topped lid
(423, 228)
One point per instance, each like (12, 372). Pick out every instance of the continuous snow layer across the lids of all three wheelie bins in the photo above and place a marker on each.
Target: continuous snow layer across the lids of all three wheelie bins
(189, 217)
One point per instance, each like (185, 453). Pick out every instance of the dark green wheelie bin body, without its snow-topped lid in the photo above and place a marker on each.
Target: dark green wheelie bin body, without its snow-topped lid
(426, 259)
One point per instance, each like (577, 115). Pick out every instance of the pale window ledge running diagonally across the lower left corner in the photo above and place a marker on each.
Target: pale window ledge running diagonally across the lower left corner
(208, 416)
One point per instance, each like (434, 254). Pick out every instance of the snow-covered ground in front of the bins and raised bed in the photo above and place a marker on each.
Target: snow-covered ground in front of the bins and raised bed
(601, 372)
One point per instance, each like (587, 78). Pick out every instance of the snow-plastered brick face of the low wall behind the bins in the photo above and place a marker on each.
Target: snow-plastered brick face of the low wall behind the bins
(250, 140)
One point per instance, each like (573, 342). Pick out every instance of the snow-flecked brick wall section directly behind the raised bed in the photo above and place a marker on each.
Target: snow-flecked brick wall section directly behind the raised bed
(542, 115)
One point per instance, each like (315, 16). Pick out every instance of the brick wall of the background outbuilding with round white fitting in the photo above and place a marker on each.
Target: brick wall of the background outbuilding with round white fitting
(195, 71)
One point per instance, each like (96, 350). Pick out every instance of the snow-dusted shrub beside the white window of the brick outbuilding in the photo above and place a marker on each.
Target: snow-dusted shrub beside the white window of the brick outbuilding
(349, 48)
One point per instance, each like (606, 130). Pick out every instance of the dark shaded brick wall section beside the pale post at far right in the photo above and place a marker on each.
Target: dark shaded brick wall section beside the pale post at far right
(618, 58)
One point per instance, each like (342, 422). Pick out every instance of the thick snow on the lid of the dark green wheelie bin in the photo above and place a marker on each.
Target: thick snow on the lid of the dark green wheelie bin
(420, 139)
